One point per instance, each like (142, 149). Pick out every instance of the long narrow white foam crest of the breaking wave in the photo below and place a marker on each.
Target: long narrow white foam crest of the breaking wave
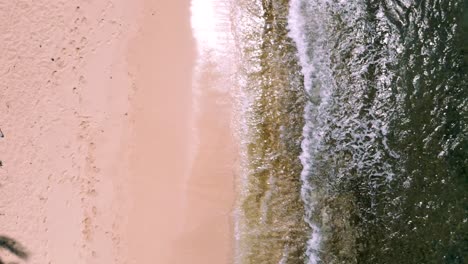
(308, 30)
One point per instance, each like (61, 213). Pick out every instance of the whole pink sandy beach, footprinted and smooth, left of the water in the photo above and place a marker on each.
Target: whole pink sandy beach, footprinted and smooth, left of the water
(95, 103)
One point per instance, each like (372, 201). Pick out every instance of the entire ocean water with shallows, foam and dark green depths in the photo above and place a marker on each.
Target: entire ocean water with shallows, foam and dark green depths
(352, 118)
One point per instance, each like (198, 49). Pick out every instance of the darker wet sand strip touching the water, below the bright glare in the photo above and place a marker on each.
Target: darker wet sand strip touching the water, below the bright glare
(207, 231)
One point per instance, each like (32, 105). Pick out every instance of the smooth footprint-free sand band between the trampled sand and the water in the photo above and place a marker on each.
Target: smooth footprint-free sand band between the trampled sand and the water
(195, 194)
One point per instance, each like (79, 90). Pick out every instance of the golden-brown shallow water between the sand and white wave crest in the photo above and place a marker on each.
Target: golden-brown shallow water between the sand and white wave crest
(272, 227)
